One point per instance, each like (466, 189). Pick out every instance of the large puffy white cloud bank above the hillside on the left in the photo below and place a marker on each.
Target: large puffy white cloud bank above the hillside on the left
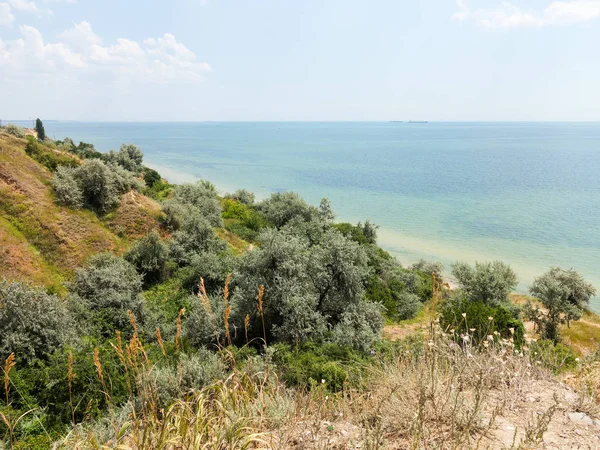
(82, 51)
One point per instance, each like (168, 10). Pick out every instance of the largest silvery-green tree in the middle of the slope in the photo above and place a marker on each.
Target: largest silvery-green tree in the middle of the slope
(308, 287)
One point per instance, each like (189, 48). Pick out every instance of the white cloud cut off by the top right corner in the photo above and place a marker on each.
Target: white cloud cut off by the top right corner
(507, 15)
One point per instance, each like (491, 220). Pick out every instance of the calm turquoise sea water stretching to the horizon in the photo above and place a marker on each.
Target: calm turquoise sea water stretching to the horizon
(525, 193)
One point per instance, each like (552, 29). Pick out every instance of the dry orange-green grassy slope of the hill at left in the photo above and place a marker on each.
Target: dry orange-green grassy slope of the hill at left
(42, 241)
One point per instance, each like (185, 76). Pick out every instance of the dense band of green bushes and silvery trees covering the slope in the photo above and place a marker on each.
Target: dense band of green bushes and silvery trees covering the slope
(306, 297)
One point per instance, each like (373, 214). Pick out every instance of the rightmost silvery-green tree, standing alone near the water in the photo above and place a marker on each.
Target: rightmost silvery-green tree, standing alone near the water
(564, 294)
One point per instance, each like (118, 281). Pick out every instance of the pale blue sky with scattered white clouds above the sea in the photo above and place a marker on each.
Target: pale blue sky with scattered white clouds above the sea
(313, 60)
